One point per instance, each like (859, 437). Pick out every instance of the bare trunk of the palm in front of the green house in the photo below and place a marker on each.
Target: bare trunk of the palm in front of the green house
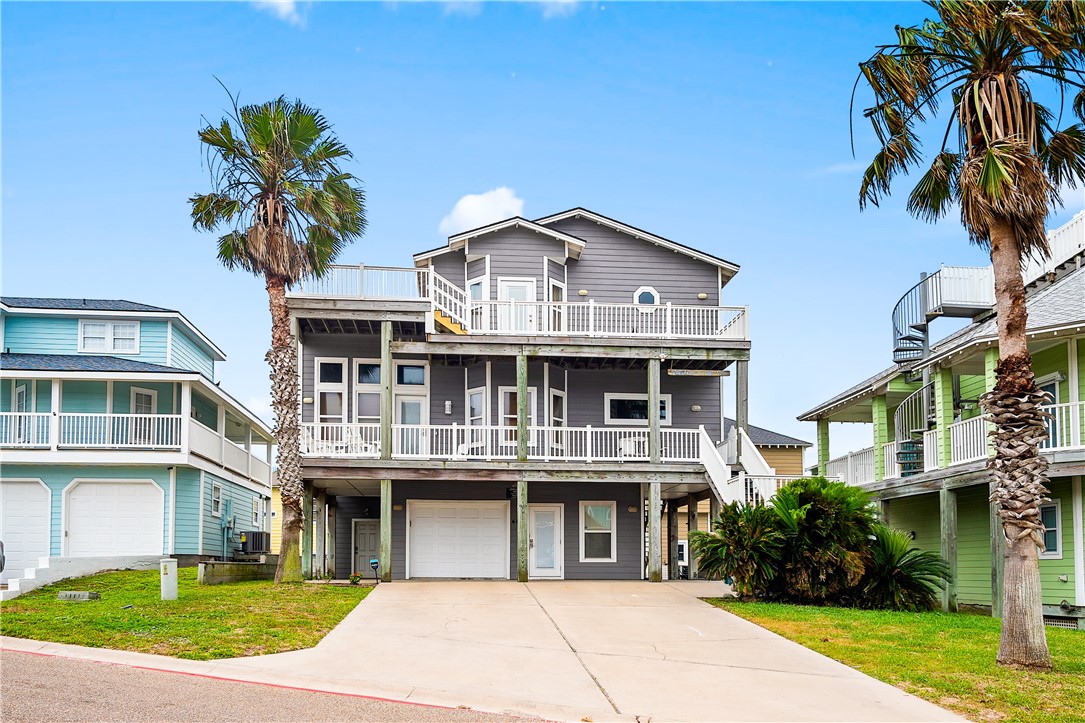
(1018, 471)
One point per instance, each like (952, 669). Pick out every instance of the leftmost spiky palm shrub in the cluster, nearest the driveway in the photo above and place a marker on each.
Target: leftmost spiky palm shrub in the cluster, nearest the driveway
(745, 546)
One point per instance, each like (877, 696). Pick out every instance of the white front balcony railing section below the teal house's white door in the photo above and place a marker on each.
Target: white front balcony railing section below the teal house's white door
(121, 432)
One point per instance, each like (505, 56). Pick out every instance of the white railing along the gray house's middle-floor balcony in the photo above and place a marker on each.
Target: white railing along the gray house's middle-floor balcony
(492, 443)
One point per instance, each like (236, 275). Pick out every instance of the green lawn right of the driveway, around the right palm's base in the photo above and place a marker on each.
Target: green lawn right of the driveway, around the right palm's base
(946, 658)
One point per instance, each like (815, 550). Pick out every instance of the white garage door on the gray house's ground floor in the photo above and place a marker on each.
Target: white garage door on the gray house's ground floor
(458, 539)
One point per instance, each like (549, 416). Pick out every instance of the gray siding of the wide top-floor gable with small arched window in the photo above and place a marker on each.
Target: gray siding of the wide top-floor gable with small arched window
(615, 265)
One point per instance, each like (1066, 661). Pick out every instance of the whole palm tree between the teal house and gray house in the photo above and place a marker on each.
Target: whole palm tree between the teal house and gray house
(288, 210)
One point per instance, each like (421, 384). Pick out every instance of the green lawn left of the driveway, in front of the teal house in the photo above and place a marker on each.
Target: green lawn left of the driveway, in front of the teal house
(205, 624)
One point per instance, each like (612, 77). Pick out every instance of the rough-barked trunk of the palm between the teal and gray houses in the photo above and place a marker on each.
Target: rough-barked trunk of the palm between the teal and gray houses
(283, 362)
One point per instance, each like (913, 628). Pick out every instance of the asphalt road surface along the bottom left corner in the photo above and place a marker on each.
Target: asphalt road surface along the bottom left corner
(45, 689)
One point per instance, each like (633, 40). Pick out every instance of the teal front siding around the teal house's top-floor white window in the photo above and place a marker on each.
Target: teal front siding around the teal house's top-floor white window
(54, 335)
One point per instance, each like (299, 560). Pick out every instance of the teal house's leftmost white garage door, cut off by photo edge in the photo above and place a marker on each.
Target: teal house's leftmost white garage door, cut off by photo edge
(24, 526)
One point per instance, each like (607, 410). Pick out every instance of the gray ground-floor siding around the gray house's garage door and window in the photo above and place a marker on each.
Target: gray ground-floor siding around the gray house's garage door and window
(629, 525)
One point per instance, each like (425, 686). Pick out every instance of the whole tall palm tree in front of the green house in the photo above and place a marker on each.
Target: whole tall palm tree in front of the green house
(1004, 169)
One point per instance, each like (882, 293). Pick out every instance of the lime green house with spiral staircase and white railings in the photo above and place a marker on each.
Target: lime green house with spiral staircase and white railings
(927, 462)
